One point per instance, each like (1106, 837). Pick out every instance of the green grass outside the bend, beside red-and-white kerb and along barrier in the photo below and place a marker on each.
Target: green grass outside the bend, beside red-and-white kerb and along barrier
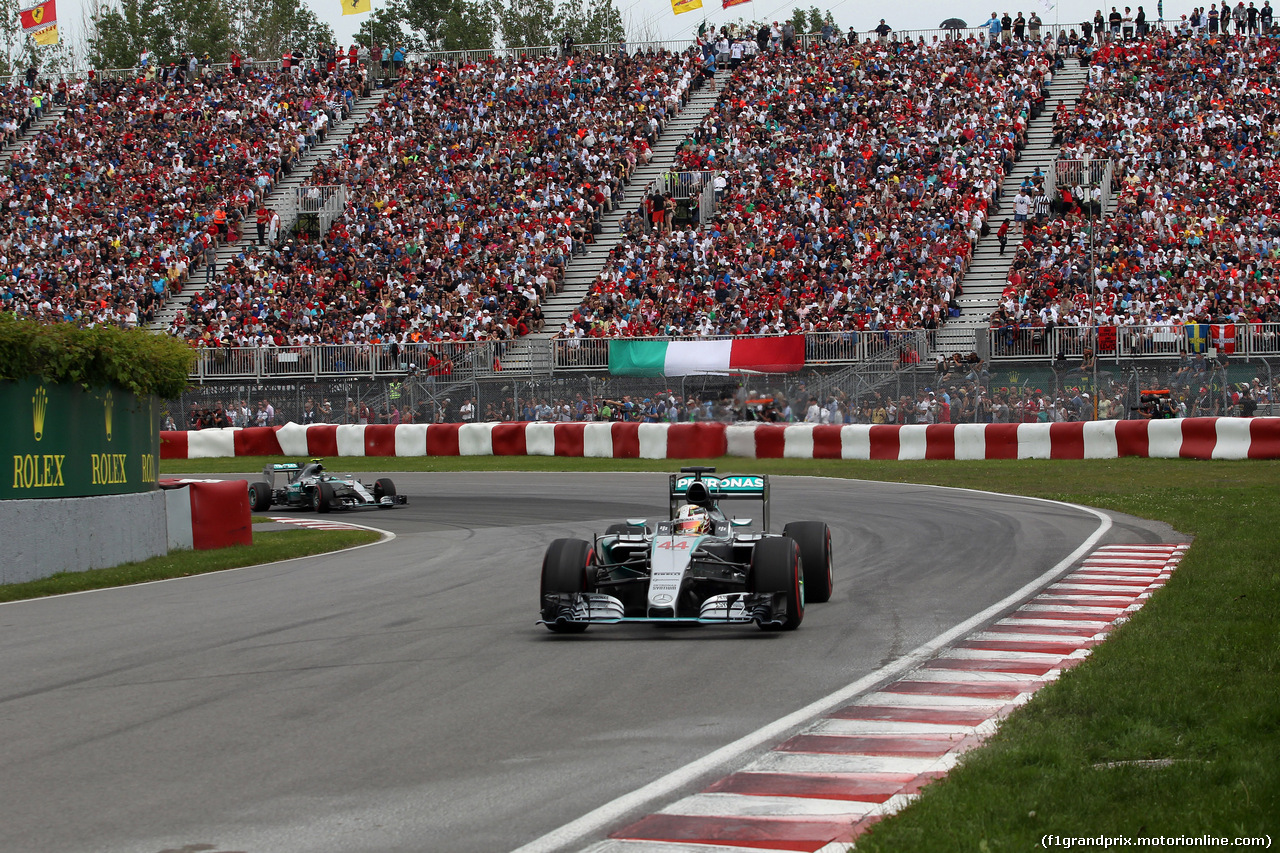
(1195, 678)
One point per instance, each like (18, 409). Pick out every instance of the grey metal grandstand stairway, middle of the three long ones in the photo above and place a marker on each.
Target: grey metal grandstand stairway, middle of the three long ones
(529, 353)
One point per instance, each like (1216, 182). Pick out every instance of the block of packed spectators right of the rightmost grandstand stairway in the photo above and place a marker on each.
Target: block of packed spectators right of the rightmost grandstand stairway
(1163, 258)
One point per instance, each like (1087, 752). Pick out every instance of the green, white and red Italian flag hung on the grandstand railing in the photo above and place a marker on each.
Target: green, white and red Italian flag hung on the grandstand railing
(644, 358)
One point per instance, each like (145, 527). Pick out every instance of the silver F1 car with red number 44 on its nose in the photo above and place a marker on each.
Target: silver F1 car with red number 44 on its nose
(696, 567)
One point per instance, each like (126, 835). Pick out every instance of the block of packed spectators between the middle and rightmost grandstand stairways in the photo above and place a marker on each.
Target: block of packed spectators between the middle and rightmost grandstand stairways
(774, 261)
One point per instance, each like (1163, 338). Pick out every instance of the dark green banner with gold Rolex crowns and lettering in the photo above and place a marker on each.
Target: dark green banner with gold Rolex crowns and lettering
(62, 441)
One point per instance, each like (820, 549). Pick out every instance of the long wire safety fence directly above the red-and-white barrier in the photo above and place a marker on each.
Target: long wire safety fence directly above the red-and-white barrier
(975, 393)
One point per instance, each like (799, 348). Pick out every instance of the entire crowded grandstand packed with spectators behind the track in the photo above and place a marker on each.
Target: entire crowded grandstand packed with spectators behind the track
(853, 177)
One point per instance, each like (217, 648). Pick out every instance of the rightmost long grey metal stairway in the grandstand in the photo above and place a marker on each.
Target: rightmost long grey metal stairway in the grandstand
(985, 281)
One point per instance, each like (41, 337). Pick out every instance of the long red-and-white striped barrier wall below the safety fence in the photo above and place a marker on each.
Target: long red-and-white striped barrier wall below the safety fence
(1186, 439)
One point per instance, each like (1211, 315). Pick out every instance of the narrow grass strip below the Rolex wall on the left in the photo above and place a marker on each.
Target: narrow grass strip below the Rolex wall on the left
(268, 548)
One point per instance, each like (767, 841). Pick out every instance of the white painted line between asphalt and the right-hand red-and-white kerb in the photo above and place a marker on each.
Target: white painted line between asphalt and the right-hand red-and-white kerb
(596, 820)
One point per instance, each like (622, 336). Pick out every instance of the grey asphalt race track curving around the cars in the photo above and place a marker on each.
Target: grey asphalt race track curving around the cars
(403, 699)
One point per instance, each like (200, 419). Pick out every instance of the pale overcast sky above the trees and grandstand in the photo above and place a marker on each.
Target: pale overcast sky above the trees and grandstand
(655, 19)
